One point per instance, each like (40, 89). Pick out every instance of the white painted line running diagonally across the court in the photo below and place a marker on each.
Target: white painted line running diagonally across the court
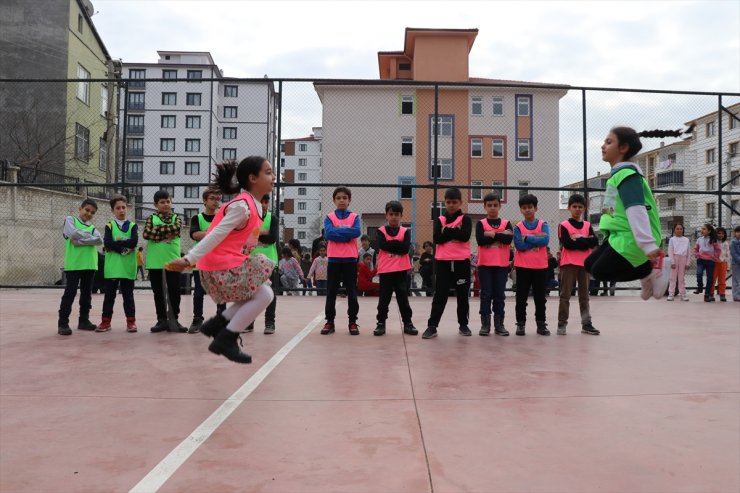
(167, 467)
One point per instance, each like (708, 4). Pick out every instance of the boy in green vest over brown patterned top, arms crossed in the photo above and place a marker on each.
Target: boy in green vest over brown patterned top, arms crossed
(162, 232)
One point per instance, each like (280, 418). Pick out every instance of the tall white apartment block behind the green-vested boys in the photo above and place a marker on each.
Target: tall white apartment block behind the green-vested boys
(190, 117)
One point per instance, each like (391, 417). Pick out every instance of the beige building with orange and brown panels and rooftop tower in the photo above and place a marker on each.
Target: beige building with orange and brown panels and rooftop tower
(488, 133)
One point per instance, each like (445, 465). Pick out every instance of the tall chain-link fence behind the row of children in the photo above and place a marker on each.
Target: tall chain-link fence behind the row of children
(61, 141)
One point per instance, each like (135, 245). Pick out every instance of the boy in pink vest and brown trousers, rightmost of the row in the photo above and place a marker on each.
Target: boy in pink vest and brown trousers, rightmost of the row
(577, 239)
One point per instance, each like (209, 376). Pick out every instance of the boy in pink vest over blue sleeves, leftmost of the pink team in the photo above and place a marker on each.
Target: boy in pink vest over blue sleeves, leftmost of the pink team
(341, 229)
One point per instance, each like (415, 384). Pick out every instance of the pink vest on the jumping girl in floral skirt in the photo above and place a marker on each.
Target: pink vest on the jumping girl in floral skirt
(228, 254)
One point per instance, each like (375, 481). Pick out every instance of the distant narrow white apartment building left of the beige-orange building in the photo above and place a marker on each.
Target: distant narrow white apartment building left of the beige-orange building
(300, 162)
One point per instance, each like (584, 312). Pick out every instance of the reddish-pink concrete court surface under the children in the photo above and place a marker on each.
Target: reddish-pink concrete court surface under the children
(651, 405)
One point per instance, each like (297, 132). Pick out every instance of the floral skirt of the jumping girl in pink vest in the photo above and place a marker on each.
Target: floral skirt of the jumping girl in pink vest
(239, 283)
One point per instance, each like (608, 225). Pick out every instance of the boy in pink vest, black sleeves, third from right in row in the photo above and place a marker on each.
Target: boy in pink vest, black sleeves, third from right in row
(494, 236)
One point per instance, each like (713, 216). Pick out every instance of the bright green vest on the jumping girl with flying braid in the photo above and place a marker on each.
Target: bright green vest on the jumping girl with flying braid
(615, 225)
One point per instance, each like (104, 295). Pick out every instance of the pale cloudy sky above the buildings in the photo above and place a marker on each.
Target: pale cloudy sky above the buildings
(666, 45)
